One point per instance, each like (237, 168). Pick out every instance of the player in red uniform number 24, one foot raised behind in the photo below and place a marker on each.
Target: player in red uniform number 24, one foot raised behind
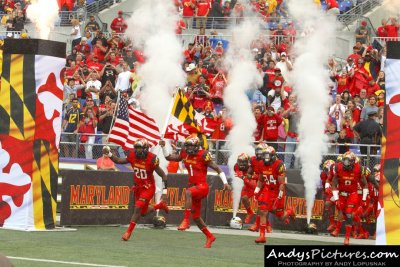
(271, 191)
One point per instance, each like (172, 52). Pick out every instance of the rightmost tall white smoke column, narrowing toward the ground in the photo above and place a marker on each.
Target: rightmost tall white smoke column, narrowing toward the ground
(311, 79)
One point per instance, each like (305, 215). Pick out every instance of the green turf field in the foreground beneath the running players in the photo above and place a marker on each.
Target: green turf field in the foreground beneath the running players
(147, 247)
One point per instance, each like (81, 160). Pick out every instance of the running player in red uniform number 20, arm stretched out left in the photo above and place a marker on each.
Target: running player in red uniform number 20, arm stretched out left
(144, 163)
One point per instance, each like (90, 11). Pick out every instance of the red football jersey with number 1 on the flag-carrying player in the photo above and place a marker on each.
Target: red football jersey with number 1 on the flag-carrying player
(196, 165)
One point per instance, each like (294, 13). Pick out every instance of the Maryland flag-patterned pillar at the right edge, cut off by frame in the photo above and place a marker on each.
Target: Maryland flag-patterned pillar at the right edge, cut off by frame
(388, 223)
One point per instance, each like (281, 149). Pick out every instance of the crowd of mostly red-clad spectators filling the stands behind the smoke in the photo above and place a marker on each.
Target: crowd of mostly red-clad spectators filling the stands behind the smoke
(98, 68)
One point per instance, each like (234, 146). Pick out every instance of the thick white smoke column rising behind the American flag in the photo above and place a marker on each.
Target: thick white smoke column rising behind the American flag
(152, 29)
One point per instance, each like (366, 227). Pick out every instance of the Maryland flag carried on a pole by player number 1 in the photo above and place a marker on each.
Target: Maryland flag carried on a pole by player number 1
(183, 121)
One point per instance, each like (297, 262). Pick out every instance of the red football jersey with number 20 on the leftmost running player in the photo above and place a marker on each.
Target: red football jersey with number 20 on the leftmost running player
(143, 168)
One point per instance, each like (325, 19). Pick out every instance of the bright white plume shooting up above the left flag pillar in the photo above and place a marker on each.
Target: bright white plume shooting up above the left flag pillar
(43, 14)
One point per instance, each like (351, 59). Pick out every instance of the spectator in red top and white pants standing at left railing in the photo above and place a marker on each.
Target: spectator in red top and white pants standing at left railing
(87, 127)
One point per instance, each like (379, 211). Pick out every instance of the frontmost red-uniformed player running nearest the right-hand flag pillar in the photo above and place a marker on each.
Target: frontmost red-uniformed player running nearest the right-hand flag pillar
(346, 176)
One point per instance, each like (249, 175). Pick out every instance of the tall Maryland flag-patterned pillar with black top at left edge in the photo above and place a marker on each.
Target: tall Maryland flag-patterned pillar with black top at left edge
(30, 126)
